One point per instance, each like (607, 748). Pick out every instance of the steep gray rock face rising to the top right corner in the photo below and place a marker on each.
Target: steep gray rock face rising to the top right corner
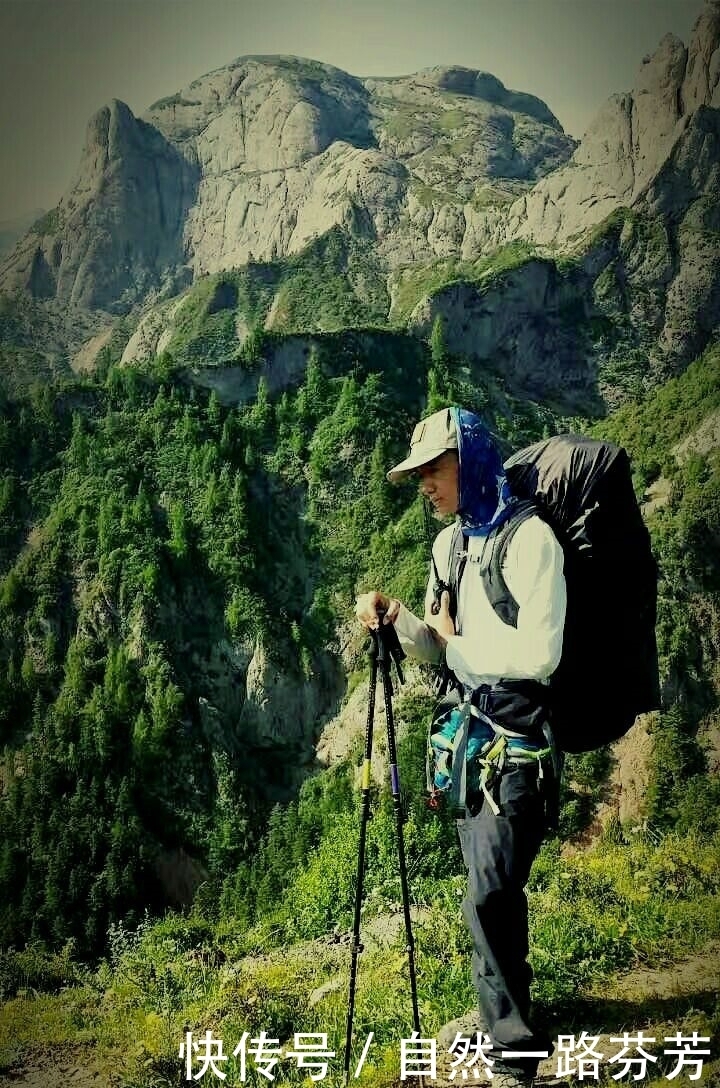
(653, 289)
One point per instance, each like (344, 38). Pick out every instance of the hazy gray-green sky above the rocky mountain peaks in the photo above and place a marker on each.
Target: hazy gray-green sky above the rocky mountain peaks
(61, 60)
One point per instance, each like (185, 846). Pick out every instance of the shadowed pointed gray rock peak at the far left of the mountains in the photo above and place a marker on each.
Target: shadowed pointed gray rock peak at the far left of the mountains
(119, 231)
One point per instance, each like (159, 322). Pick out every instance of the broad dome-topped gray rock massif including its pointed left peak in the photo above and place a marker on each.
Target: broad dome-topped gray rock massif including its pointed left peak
(257, 159)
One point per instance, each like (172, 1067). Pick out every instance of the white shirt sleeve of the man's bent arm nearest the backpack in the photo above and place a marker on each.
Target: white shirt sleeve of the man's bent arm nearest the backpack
(533, 573)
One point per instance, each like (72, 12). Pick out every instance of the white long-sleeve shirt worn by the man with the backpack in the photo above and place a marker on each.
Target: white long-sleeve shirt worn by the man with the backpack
(487, 650)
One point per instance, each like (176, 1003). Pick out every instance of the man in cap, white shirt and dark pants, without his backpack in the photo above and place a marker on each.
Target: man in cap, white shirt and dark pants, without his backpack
(461, 472)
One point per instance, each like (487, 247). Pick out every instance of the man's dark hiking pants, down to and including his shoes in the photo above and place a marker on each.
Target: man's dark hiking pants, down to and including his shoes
(499, 852)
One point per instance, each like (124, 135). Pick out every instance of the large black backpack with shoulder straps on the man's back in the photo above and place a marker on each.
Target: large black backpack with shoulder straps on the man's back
(609, 672)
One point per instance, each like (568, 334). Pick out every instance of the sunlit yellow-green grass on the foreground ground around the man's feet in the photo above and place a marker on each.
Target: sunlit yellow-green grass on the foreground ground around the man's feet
(595, 916)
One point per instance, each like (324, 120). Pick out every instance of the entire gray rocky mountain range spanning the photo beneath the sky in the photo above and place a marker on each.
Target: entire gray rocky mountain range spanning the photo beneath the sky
(256, 160)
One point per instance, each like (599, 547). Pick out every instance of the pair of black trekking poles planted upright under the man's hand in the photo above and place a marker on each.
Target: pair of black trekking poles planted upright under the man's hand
(384, 649)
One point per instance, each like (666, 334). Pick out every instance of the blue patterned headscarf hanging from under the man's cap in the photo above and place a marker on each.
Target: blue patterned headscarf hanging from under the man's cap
(486, 499)
